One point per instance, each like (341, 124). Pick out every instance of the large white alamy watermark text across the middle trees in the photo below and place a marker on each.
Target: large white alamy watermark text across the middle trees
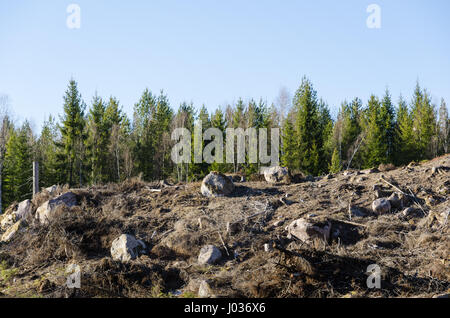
(241, 146)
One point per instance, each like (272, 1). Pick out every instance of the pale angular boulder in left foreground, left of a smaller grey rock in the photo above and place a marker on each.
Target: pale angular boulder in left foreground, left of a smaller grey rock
(126, 247)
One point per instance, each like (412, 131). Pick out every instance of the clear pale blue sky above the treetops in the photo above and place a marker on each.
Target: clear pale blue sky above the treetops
(213, 51)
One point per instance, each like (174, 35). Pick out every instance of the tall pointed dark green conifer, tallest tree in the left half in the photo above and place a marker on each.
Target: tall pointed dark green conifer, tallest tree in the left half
(73, 136)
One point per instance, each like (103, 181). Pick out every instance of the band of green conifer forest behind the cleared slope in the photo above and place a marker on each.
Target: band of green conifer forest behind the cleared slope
(101, 144)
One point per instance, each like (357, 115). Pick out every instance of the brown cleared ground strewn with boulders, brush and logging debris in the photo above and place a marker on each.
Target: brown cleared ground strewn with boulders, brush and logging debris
(311, 237)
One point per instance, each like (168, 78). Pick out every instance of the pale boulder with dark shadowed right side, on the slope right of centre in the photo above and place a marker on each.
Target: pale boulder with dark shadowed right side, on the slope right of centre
(306, 230)
